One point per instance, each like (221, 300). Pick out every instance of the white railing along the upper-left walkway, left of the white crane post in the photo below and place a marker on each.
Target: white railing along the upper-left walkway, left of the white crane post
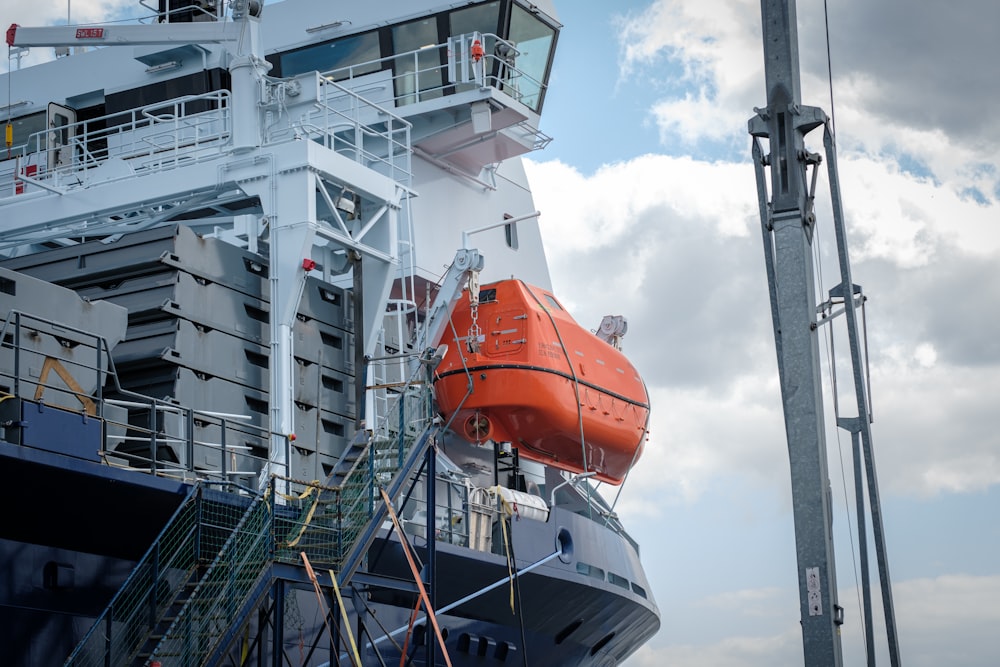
(149, 139)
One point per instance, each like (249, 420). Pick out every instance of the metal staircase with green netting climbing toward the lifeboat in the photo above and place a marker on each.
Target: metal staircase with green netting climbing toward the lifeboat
(212, 564)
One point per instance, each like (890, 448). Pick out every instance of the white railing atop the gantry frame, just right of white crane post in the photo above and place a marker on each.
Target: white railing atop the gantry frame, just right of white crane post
(345, 122)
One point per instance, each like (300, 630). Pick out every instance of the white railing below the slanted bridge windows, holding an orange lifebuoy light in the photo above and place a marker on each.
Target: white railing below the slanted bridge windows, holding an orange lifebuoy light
(433, 72)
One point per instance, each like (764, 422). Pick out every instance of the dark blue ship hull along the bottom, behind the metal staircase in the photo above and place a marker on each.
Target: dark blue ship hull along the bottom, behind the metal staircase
(80, 526)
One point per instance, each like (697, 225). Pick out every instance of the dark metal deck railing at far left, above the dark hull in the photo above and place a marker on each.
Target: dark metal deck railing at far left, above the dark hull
(50, 363)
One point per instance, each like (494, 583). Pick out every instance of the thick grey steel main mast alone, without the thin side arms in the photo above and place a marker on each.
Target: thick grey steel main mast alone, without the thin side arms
(788, 227)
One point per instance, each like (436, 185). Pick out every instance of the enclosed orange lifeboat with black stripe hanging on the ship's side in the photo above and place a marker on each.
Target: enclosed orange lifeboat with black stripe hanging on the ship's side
(541, 382)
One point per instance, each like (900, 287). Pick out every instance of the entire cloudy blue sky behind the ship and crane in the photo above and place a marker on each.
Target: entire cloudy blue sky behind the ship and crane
(649, 210)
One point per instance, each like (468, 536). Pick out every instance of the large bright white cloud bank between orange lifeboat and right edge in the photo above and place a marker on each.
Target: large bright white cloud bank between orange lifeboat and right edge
(673, 244)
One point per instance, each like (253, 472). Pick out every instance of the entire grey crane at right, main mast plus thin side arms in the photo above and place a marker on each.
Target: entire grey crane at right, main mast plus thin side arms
(788, 225)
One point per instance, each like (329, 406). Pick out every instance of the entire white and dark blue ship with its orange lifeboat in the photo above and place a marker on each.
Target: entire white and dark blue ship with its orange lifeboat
(283, 378)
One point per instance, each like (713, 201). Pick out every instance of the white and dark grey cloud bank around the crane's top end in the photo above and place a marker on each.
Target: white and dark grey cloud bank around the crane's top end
(890, 98)
